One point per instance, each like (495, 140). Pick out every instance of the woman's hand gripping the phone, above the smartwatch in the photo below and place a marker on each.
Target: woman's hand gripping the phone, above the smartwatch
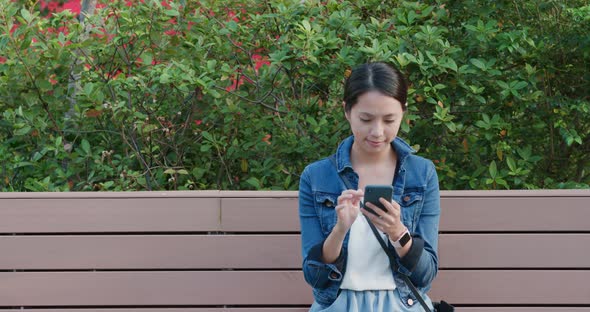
(389, 221)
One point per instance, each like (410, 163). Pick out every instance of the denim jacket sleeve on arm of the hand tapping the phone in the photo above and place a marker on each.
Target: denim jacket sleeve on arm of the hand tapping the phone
(317, 273)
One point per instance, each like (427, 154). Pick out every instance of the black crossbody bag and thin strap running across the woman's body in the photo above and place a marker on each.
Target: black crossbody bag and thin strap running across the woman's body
(441, 306)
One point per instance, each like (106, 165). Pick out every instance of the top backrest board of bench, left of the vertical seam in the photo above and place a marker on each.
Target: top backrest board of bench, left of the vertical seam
(86, 215)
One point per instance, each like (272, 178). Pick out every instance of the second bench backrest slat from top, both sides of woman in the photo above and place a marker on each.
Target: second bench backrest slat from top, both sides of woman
(35, 252)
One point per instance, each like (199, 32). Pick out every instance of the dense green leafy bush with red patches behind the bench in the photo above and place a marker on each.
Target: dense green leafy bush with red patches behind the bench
(201, 95)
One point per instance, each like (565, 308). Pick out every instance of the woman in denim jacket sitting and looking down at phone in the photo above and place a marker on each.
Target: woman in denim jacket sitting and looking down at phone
(343, 261)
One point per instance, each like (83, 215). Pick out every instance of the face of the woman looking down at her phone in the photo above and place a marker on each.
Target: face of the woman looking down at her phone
(375, 120)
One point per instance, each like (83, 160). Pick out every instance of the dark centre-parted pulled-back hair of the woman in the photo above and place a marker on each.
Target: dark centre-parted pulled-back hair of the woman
(377, 76)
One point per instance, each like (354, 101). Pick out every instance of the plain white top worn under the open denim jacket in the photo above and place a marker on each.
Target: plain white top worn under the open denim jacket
(367, 265)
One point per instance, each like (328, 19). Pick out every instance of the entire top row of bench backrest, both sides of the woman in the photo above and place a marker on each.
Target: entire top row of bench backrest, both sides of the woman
(477, 213)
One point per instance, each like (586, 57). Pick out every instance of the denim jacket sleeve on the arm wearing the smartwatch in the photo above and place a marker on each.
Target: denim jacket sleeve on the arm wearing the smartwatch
(421, 261)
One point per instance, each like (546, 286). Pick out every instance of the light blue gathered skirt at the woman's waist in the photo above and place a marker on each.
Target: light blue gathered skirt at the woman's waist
(367, 301)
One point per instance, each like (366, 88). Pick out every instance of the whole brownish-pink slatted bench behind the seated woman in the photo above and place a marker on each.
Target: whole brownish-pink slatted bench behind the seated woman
(239, 251)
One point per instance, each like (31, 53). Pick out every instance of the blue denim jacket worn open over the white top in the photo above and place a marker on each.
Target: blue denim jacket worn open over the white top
(415, 189)
